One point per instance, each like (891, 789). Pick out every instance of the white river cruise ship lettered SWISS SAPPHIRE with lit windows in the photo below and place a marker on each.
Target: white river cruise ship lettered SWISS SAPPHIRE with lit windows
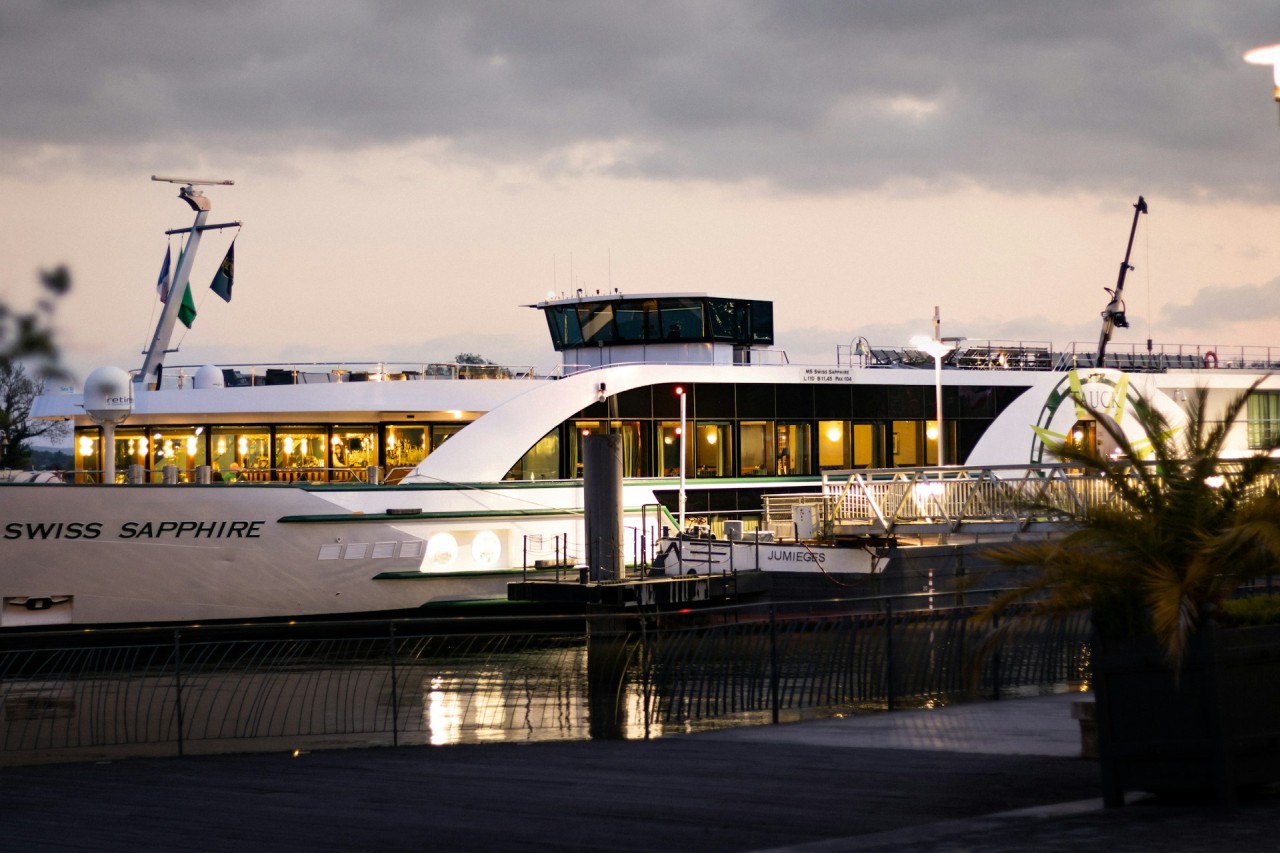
(241, 491)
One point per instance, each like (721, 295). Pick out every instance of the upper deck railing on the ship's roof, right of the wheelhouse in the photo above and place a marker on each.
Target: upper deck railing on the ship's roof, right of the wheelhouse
(1043, 355)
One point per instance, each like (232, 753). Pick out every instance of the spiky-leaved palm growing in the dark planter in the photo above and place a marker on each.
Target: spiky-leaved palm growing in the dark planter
(1183, 530)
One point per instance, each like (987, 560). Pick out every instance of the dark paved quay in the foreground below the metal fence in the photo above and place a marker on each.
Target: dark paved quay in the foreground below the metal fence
(976, 777)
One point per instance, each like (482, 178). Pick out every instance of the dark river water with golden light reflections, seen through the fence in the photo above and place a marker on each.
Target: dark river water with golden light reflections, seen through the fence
(459, 690)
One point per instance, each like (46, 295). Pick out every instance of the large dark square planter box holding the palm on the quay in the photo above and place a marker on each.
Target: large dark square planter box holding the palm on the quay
(1215, 728)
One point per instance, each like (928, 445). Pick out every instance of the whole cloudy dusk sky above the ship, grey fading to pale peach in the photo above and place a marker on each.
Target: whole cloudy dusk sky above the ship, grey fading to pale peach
(412, 175)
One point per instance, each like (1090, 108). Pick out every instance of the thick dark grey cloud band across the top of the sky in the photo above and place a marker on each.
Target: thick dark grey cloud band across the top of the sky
(811, 97)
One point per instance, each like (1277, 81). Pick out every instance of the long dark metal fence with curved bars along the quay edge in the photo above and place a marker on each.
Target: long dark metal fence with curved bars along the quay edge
(437, 682)
